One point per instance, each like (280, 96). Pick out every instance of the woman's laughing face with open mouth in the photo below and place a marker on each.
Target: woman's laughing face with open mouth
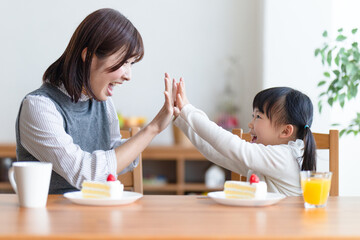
(103, 82)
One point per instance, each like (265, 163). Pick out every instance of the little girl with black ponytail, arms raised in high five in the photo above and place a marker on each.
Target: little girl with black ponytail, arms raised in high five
(282, 143)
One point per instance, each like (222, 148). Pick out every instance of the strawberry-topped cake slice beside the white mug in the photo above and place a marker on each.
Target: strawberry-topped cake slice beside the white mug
(112, 188)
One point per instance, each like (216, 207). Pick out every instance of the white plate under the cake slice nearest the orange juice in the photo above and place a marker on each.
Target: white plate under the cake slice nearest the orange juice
(270, 199)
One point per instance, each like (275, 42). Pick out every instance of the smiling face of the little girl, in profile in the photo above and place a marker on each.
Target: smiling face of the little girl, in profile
(262, 130)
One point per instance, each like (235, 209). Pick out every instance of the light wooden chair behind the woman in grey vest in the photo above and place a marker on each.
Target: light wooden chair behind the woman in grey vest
(132, 180)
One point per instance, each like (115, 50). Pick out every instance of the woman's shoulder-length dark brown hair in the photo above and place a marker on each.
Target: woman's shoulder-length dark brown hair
(103, 33)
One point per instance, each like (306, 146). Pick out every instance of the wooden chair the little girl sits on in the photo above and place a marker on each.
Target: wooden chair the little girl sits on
(328, 141)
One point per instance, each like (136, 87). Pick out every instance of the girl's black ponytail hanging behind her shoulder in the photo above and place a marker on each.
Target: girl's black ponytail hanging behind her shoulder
(309, 156)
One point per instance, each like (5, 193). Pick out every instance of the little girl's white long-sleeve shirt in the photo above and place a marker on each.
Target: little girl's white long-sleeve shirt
(277, 165)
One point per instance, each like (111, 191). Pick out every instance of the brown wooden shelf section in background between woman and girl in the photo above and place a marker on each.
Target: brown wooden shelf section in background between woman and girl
(180, 154)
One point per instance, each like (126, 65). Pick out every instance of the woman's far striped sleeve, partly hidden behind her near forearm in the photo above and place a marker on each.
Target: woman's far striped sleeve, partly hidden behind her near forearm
(115, 135)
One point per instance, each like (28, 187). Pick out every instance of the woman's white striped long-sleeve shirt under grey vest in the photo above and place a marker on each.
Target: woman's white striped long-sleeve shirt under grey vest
(41, 126)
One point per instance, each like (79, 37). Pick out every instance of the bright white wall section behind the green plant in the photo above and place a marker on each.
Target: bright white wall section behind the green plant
(293, 29)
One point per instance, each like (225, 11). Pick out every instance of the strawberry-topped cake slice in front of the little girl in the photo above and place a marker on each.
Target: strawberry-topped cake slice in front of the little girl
(254, 189)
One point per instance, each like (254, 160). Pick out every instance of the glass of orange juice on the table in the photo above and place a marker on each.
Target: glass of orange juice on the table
(315, 187)
